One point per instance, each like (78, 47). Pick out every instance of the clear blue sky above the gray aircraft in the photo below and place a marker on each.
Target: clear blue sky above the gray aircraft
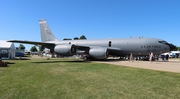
(96, 19)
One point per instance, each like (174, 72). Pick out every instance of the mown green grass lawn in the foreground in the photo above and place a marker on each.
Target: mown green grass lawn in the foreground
(72, 79)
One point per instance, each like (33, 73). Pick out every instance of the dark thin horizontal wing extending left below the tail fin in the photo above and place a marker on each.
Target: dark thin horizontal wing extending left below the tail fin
(30, 42)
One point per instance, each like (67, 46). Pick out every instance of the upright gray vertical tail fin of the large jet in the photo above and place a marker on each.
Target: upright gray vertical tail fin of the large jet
(46, 33)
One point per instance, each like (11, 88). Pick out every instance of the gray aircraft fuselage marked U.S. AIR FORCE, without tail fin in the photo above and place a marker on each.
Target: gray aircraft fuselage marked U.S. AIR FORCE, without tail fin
(138, 46)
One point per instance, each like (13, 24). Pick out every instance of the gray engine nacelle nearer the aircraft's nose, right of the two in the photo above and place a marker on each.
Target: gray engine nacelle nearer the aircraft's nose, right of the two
(99, 53)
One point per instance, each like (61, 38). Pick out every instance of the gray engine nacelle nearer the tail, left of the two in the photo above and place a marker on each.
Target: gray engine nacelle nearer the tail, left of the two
(65, 50)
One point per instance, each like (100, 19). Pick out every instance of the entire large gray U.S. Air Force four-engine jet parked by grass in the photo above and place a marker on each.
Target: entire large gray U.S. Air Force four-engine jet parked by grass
(100, 48)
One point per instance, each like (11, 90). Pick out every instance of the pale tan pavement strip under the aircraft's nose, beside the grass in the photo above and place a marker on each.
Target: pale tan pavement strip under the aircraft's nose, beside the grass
(170, 66)
